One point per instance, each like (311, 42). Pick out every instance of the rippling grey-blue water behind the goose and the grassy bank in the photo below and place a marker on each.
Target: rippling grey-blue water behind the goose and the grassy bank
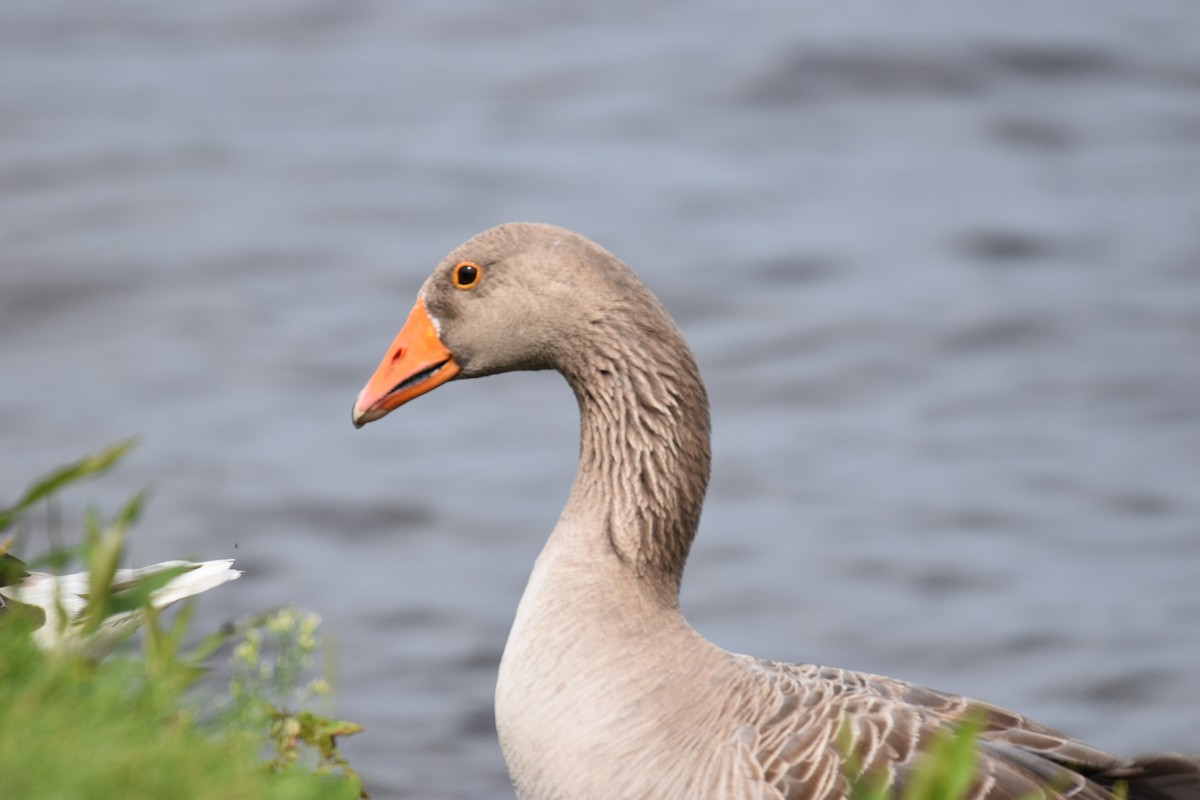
(940, 263)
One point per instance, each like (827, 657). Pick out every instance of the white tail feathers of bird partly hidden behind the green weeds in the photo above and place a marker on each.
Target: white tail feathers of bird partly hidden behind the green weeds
(61, 600)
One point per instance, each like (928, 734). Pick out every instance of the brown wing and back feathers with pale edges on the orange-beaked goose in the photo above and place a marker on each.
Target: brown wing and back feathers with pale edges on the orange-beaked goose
(820, 719)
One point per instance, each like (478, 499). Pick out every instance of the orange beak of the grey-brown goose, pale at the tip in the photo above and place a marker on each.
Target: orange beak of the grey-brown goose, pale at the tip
(416, 363)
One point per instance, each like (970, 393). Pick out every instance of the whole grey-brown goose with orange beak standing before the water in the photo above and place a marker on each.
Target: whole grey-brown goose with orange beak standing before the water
(604, 689)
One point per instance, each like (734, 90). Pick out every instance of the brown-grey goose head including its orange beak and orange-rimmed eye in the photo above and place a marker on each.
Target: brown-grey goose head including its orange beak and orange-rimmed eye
(517, 297)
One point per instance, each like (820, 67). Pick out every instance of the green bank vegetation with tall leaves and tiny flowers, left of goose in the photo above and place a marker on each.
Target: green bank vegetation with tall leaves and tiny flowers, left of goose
(140, 725)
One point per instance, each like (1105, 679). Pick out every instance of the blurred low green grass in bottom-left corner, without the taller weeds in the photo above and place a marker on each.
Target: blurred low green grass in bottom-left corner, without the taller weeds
(75, 731)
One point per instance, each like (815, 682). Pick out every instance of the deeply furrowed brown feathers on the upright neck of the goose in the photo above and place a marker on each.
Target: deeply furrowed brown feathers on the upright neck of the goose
(644, 456)
